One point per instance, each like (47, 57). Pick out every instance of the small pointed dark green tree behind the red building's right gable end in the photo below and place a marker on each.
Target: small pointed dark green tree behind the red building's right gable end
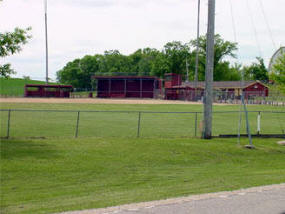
(256, 71)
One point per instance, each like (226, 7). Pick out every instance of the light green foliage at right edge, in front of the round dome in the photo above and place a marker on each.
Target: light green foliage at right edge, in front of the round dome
(279, 72)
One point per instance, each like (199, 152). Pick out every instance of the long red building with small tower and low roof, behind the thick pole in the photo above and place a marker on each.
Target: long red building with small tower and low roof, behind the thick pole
(176, 90)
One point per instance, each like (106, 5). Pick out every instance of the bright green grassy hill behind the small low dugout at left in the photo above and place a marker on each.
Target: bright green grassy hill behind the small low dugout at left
(15, 86)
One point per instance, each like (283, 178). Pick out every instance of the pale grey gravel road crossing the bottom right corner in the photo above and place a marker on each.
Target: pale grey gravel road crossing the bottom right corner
(257, 200)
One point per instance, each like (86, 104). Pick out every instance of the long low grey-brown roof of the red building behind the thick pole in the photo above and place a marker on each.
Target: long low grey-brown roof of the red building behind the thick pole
(220, 84)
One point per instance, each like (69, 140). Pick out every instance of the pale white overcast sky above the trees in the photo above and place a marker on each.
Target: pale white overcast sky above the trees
(86, 27)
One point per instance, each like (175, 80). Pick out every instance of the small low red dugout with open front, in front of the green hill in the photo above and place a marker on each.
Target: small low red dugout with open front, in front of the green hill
(33, 90)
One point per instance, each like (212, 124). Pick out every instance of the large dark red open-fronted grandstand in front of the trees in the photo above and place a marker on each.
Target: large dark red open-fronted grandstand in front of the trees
(127, 86)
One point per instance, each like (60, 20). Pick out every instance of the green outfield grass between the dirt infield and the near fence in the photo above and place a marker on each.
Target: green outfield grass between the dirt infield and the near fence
(113, 124)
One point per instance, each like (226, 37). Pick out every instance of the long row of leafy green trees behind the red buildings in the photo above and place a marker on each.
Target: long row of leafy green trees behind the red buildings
(171, 59)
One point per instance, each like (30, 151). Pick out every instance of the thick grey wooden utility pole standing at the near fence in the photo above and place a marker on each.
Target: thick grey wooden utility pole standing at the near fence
(208, 101)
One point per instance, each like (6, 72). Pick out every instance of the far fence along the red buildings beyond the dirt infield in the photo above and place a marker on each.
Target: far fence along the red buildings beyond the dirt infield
(251, 98)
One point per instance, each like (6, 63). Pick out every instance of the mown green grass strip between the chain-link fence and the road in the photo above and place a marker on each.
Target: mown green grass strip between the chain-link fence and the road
(55, 175)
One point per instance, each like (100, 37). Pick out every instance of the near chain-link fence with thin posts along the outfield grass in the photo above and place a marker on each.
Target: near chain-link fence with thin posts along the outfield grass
(61, 123)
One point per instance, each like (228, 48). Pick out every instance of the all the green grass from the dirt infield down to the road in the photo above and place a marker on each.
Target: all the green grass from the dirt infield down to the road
(107, 165)
